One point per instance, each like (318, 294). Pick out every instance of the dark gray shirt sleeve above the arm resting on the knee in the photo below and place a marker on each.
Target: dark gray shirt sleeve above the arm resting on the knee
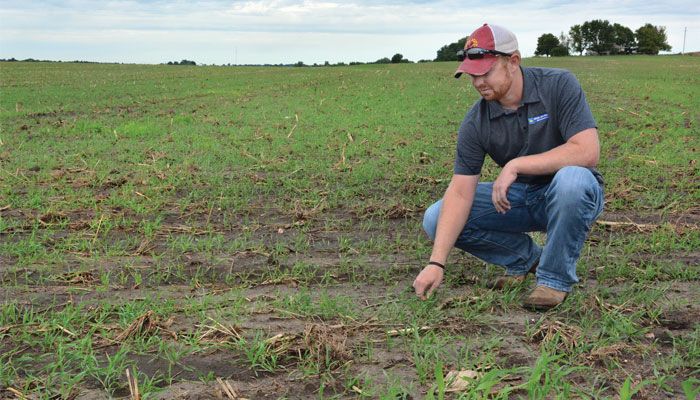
(574, 113)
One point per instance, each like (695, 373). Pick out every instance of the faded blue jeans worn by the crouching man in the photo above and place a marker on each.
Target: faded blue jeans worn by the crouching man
(564, 208)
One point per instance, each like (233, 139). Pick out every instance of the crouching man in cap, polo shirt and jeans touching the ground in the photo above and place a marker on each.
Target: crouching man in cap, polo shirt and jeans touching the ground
(534, 123)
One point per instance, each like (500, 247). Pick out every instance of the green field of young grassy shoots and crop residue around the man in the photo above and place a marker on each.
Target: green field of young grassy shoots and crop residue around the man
(258, 229)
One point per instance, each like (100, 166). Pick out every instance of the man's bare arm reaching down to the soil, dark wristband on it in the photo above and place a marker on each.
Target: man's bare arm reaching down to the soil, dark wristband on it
(456, 204)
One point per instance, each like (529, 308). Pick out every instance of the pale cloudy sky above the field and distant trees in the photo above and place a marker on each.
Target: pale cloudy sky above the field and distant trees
(288, 31)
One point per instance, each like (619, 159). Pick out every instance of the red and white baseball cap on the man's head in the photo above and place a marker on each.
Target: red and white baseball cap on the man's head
(489, 37)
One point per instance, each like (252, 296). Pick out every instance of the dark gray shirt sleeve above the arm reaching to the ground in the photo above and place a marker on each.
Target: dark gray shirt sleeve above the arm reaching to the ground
(470, 152)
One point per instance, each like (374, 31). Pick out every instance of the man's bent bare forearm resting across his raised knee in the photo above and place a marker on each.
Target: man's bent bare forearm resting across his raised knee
(581, 150)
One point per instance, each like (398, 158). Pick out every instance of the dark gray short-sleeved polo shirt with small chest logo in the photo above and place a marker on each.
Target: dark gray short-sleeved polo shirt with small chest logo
(552, 110)
